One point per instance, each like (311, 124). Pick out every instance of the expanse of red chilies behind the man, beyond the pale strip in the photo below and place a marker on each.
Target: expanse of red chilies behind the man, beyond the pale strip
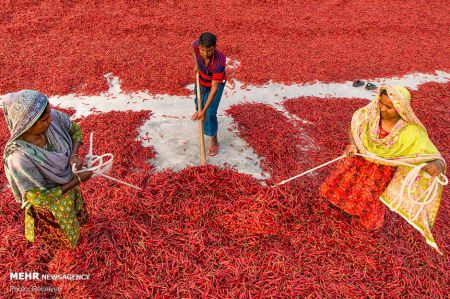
(66, 47)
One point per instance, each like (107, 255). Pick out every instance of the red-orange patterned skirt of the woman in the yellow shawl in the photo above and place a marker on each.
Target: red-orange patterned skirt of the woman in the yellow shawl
(355, 186)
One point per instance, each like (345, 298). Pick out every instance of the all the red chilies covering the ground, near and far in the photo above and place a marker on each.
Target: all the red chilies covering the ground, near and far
(215, 232)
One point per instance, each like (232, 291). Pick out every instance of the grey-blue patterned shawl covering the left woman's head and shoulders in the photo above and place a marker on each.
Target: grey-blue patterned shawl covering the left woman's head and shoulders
(28, 166)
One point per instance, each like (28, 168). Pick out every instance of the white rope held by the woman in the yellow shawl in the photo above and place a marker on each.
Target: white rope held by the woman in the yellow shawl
(422, 200)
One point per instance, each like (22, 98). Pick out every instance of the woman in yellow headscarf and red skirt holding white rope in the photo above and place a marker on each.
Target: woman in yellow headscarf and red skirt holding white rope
(387, 128)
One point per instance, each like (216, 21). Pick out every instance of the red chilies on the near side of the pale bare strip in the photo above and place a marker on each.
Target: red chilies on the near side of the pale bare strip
(211, 232)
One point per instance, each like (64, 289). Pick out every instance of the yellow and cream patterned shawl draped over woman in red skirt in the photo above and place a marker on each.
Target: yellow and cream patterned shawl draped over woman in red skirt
(408, 142)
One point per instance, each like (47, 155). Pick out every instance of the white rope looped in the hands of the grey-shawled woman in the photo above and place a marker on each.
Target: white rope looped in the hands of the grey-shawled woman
(99, 165)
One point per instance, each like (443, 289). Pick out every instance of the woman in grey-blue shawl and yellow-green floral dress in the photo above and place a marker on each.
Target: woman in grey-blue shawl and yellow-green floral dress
(38, 156)
